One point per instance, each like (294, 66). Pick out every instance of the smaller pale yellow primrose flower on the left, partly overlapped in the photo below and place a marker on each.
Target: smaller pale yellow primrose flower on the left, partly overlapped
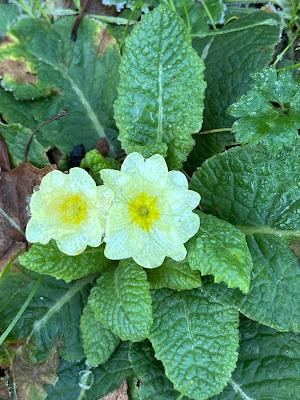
(69, 208)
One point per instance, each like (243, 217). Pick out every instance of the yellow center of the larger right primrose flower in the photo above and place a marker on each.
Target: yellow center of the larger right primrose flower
(143, 210)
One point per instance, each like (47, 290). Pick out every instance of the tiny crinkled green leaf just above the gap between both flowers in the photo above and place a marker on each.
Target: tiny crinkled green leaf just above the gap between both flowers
(95, 162)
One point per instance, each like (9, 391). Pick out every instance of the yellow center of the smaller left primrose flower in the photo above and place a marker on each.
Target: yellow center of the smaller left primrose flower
(73, 209)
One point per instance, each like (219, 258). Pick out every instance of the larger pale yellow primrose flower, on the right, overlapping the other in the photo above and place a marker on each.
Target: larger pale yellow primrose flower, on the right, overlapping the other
(151, 216)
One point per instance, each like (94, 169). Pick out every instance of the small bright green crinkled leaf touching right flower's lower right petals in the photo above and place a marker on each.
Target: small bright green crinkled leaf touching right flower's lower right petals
(221, 250)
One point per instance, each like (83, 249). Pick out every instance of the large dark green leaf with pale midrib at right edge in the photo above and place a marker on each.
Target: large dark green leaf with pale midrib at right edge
(257, 190)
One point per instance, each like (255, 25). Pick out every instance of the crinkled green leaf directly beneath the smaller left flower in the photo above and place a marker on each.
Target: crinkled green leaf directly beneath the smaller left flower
(49, 260)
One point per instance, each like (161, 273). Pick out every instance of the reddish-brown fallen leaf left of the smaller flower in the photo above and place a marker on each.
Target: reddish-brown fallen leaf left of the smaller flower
(15, 188)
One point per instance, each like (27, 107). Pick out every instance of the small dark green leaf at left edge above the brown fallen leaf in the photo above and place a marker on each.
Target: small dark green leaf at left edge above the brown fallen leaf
(17, 137)
